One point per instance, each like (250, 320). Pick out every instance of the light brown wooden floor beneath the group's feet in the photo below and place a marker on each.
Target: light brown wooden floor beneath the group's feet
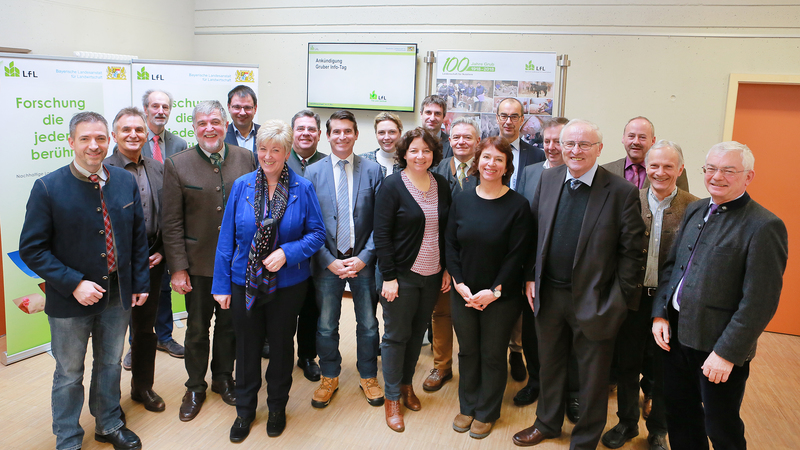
(770, 411)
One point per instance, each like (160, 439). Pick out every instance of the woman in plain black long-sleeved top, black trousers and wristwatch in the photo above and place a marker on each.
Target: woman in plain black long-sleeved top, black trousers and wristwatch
(487, 235)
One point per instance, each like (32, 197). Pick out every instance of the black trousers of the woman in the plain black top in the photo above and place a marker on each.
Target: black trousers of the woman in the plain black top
(482, 348)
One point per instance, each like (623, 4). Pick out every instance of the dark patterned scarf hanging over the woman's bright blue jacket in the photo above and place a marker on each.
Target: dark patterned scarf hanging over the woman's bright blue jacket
(264, 241)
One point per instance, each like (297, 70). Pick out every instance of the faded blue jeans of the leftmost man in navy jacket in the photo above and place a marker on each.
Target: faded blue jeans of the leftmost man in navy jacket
(69, 338)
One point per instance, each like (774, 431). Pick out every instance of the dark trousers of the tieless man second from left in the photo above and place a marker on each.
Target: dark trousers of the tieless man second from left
(143, 336)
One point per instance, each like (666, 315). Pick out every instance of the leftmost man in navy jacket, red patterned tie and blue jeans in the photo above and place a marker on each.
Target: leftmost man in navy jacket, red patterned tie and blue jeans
(84, 234)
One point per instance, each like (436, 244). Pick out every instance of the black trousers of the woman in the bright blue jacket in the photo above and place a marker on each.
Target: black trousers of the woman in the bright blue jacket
(274, 320)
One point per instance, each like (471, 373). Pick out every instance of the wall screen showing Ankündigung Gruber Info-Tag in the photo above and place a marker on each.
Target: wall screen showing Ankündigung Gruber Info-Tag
(362, 76)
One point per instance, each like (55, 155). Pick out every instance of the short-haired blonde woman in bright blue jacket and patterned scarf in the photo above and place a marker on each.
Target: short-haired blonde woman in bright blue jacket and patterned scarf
(271, 227)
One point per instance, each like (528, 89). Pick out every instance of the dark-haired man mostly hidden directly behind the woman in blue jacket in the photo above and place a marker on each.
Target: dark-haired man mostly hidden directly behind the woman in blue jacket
(306, 132)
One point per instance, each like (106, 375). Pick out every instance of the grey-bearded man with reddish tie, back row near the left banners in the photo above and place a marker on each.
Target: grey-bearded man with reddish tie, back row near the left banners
(161, 144)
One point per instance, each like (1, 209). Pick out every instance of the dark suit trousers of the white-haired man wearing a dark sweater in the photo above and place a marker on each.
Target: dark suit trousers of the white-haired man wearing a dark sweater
(556, 324)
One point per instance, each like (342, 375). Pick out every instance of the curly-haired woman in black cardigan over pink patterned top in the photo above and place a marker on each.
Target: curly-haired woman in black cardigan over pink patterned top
(410, 219)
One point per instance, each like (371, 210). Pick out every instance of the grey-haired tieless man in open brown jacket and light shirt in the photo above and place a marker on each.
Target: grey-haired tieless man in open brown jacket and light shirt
(663, 206)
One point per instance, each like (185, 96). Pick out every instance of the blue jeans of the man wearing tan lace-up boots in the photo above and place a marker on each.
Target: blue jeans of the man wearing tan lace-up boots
(330, 289)
